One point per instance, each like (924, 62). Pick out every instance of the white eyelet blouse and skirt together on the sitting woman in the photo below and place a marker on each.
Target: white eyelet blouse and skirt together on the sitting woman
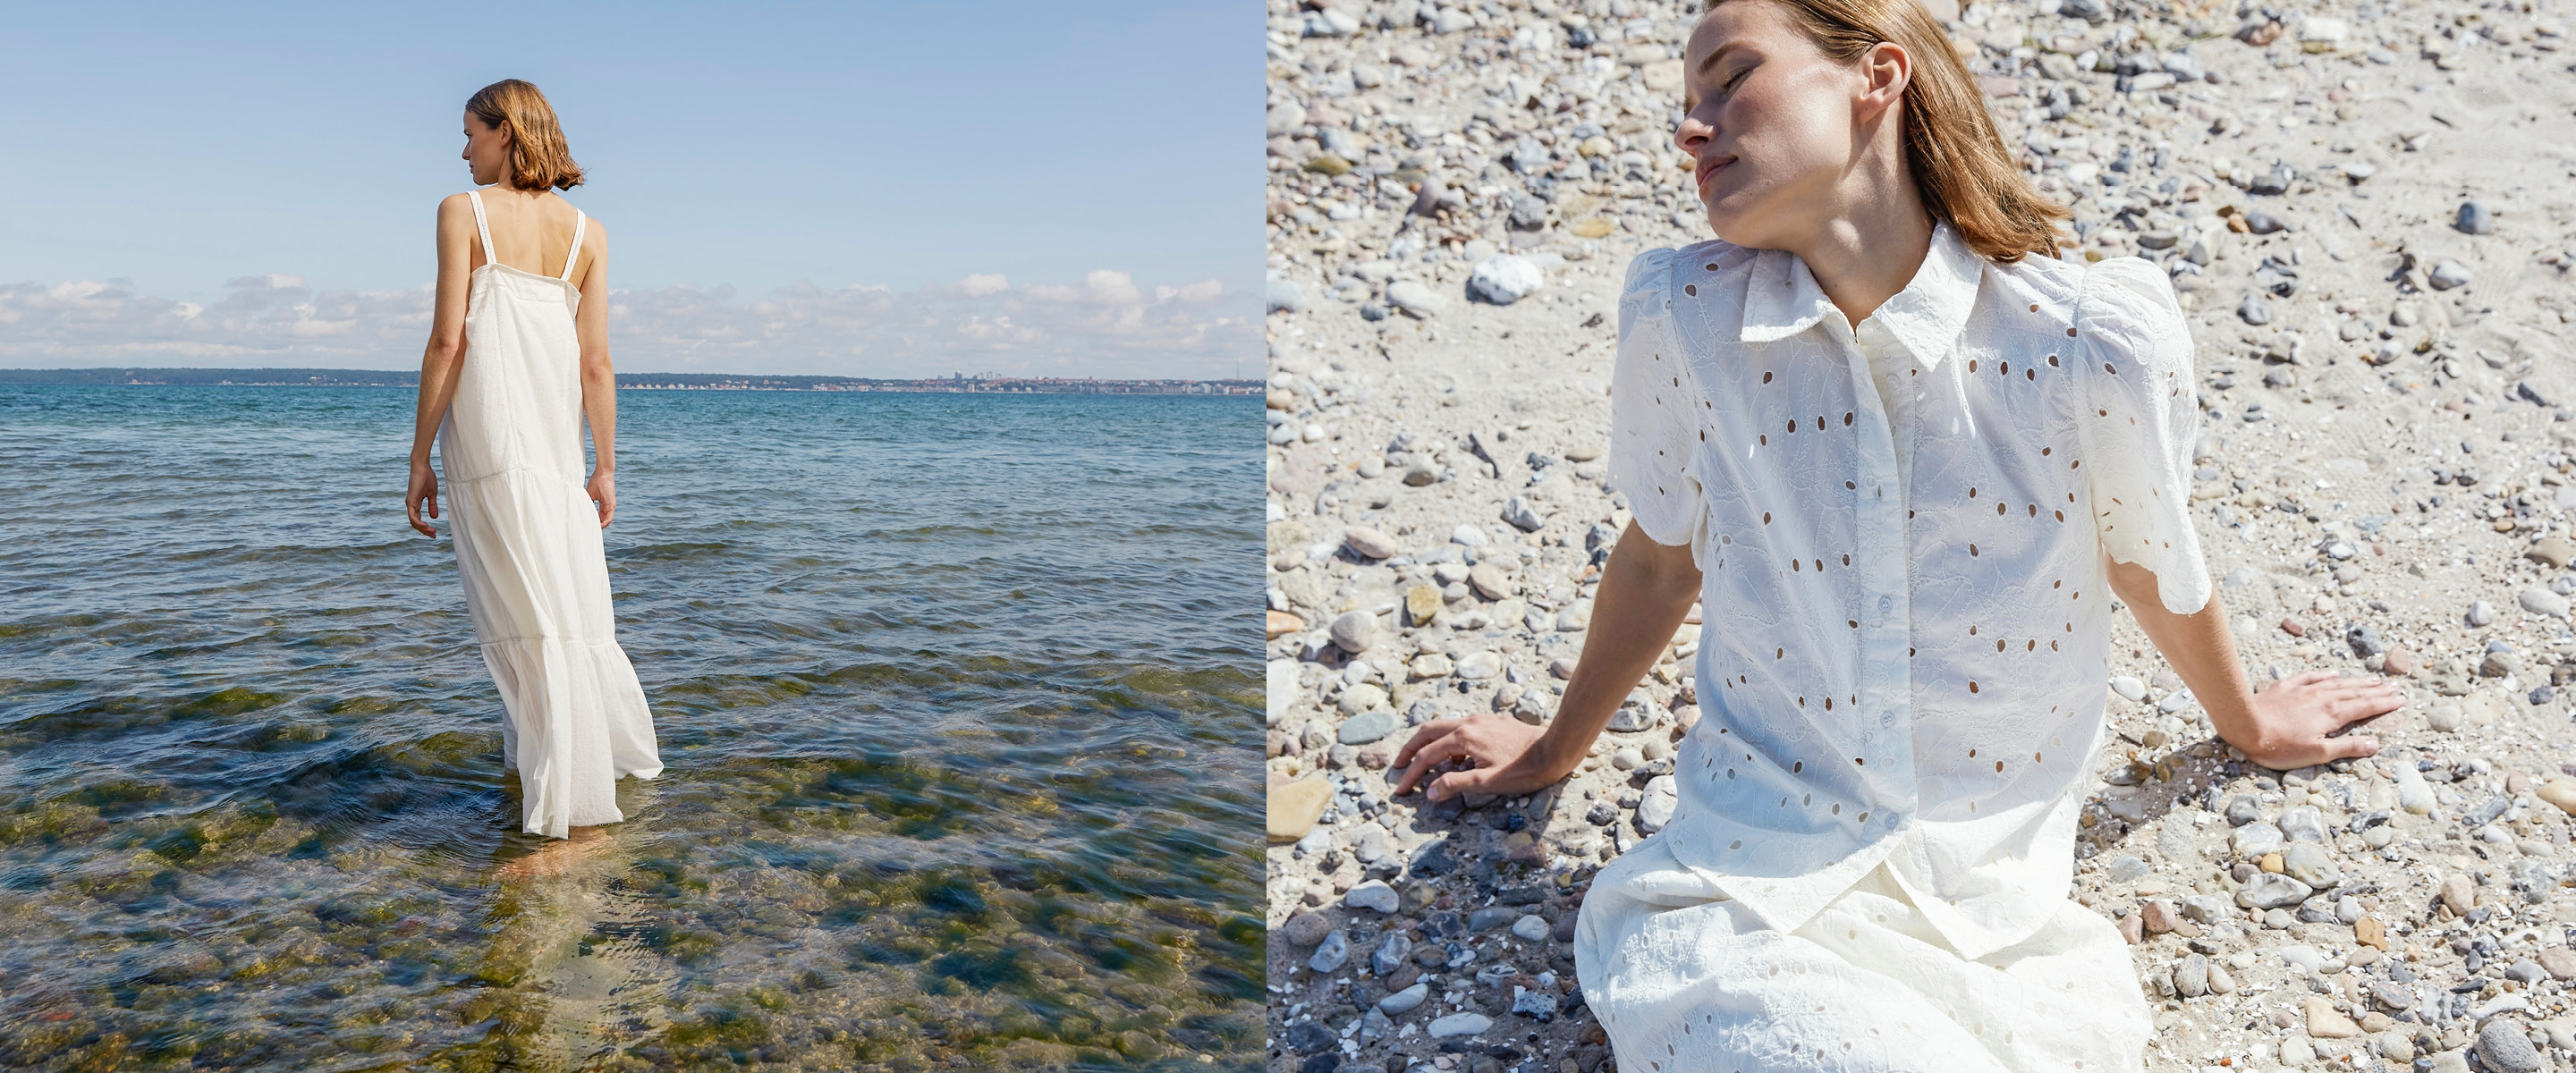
(1900, 529)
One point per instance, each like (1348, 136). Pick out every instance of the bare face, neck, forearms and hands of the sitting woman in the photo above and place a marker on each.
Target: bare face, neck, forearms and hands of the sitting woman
(1802, 153)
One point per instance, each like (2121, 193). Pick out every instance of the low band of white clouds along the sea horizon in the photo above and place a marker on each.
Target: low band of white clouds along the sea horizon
(1101, 328)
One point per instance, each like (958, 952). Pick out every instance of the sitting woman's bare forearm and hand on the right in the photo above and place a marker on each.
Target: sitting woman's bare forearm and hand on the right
(2281, 727)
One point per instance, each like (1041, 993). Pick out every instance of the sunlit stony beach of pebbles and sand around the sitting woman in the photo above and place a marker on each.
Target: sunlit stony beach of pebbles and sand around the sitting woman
(2369, 215)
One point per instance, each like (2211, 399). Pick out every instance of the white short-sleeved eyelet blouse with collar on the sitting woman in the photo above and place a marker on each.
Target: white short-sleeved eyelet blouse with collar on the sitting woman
(1905, 611)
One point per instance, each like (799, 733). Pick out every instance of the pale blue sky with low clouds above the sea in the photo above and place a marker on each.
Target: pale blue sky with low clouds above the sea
(220, 187)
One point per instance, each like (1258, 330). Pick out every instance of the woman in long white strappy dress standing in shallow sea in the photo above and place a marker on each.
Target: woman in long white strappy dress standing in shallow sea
(516, 362)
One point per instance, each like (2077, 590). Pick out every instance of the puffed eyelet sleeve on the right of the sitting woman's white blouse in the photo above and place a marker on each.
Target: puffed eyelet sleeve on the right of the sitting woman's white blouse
(2139, 426)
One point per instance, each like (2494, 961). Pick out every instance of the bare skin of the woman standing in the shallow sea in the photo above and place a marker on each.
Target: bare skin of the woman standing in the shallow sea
(524, 235)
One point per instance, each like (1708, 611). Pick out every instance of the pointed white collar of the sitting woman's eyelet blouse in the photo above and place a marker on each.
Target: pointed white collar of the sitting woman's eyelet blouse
(1784, 300)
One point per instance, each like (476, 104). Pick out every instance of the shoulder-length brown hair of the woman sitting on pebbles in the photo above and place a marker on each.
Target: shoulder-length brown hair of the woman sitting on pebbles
(1962, 166)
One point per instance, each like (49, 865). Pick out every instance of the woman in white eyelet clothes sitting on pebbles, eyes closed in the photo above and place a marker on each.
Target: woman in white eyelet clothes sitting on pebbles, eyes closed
(1905, 459)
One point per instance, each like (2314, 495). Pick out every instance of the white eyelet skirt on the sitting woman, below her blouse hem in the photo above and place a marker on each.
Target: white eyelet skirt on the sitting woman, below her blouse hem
(1691, 982)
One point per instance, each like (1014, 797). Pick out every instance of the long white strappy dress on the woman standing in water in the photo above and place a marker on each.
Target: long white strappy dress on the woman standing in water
(529, 549)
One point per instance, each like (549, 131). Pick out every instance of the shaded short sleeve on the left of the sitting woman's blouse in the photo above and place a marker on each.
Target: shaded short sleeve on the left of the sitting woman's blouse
(1653, 408)
